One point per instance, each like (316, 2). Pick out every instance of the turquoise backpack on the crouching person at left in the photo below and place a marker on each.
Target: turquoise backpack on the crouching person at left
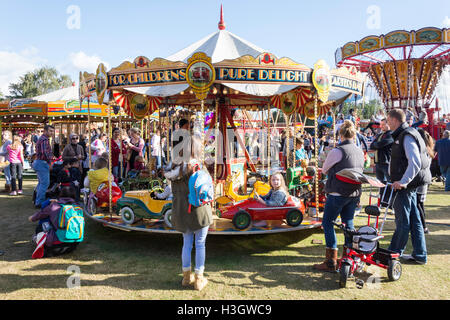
(70, 224)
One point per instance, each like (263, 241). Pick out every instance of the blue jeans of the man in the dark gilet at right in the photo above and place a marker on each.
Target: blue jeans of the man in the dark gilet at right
(407, 220)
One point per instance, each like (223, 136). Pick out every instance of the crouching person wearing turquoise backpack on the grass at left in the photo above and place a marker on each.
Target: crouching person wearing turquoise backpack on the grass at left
(61, 225)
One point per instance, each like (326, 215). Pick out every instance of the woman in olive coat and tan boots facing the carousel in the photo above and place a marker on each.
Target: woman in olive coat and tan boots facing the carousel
(193, 225)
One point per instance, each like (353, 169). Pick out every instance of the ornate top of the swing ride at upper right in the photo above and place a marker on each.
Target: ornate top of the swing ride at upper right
(404, 66)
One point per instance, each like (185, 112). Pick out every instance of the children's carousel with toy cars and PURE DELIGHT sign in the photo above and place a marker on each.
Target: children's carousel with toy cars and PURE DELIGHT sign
(236, 92)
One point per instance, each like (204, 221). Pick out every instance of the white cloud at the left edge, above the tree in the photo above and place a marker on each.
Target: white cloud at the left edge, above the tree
(16, 64)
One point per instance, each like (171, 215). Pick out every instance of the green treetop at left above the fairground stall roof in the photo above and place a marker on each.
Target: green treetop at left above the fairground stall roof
(38, 82)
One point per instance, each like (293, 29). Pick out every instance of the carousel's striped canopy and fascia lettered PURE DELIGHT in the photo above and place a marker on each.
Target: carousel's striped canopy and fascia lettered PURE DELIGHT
(221, 66)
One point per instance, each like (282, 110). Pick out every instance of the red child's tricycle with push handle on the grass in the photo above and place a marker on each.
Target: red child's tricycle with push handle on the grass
(365, 246)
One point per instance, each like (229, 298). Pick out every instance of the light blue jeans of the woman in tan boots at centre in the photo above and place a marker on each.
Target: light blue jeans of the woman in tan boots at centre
(200, 249)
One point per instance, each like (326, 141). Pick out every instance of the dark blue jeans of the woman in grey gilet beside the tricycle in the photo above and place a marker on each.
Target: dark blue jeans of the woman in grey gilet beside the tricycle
(335, 206)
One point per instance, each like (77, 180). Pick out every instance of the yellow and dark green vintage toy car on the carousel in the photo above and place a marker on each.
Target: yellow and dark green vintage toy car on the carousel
(140, 204)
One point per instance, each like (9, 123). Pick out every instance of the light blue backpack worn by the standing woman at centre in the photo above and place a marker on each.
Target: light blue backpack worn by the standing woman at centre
(201, 189)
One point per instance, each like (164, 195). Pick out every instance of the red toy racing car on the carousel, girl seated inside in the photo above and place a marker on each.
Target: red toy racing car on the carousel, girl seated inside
(242, 213)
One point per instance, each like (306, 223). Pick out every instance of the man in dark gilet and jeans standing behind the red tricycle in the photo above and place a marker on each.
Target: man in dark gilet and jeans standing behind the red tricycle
(407, 172)
